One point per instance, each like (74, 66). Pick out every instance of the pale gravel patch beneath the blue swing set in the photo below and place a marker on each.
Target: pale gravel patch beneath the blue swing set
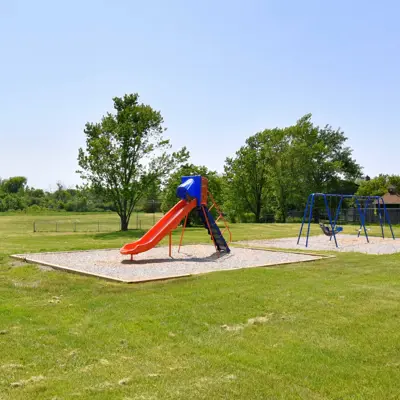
(346, 243)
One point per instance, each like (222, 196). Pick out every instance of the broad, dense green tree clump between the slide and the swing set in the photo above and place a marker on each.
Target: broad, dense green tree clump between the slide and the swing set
(277, 168)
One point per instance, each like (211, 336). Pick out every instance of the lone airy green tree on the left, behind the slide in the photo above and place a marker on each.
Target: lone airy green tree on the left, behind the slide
(125, 153)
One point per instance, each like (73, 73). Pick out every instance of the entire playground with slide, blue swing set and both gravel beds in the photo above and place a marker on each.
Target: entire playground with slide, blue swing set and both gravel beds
(147, 263)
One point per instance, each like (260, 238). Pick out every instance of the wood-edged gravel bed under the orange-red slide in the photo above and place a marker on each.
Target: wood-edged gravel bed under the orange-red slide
(156, 264)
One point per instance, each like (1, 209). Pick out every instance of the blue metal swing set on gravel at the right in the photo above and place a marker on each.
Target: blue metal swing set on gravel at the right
(333, 229)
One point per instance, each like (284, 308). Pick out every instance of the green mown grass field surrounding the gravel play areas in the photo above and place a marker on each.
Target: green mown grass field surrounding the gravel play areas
(323, 330)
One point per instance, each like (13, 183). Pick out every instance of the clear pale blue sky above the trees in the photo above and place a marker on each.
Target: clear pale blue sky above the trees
(218, 71)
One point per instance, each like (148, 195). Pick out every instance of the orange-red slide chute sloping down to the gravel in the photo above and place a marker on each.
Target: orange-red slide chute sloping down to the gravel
(165, 225)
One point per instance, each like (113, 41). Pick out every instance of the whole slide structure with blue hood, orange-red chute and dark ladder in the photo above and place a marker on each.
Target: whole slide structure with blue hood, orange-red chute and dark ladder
(194, 195)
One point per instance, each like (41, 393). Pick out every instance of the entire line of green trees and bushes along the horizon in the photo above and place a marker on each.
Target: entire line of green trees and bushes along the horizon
(128, 164)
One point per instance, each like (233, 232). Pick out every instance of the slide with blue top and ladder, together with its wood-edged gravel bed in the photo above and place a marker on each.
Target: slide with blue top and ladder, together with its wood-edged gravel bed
(147, 263)
